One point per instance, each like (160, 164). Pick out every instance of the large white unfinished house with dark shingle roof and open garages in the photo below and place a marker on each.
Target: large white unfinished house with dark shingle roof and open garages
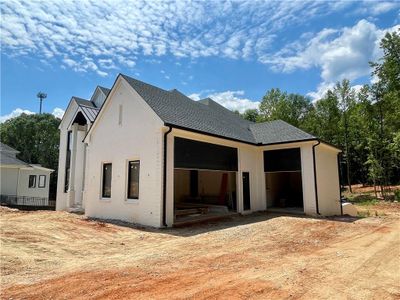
(146, 155)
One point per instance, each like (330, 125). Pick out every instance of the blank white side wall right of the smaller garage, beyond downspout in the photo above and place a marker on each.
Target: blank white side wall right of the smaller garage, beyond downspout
(327, 180)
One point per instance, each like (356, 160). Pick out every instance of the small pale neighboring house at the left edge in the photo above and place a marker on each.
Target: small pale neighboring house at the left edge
(22, 183)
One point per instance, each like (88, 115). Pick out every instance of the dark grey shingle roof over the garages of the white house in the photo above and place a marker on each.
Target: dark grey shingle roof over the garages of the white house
(207, 116)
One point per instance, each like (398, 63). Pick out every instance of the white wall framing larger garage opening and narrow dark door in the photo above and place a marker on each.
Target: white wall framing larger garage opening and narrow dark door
(249, 161)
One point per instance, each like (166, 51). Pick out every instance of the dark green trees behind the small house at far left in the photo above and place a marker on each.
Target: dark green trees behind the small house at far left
(37, 138)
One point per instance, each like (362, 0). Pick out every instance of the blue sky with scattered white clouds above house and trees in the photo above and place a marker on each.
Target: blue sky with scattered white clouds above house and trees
(231, 51)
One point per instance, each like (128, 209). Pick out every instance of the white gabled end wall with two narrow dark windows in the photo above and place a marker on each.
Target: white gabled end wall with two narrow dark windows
(138, 137)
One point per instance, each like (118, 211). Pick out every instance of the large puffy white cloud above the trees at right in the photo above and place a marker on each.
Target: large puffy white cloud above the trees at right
(338, 54)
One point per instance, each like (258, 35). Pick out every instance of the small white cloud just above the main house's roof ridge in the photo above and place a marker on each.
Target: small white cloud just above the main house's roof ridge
(232, 100)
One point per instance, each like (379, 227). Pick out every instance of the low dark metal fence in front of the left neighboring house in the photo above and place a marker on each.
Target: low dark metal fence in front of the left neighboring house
(27, 202)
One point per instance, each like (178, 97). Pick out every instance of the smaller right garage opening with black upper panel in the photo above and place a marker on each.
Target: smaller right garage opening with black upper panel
(283, 180)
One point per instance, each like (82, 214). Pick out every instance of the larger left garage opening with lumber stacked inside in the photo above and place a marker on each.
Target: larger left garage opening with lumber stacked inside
(204, 181)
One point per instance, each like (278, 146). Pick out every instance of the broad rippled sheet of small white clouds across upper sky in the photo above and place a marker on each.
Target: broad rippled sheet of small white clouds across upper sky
(100, 35)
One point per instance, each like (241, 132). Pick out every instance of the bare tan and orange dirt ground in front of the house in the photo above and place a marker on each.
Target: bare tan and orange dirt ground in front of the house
(57, 255)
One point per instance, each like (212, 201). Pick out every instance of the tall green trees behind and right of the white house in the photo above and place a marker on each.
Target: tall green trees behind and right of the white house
(365, 123)
